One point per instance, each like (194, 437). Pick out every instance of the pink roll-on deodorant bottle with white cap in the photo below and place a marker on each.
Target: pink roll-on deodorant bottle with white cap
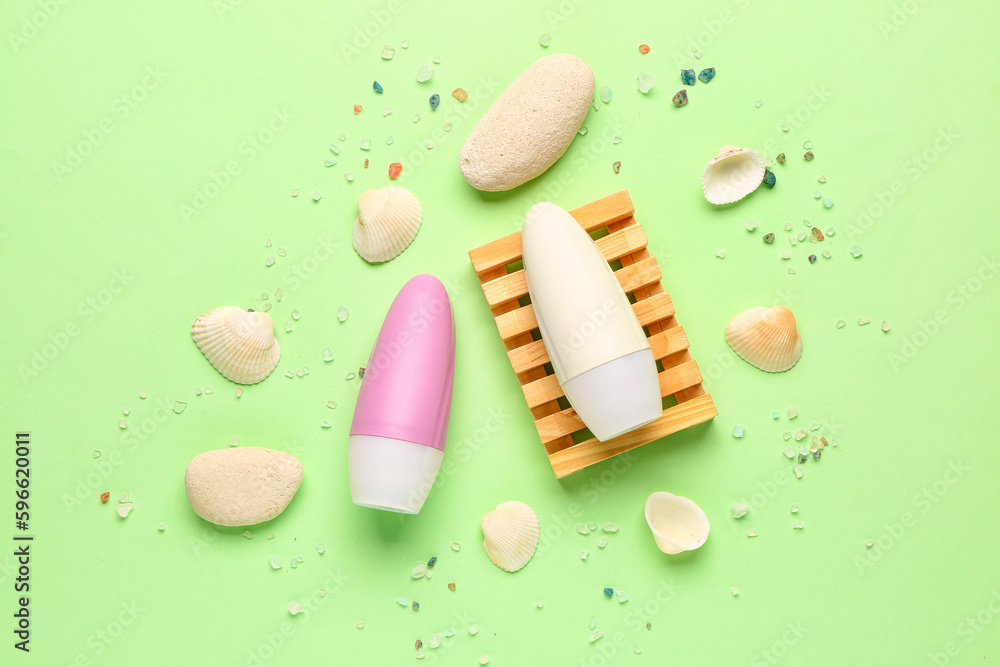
(401, 420)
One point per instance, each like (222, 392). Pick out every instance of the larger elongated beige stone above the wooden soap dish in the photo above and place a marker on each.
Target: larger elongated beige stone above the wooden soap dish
(530, 125)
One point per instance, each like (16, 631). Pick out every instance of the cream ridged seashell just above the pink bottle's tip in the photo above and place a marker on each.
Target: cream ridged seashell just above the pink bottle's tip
(388, 221)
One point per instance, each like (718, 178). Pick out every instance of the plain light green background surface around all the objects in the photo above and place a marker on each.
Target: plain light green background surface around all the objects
(894, 96)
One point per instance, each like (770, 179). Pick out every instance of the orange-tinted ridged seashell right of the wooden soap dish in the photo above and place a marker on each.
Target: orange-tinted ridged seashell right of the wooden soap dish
(766, 338)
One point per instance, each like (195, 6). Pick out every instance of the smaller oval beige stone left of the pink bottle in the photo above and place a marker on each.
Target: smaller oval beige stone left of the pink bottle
(243, 485)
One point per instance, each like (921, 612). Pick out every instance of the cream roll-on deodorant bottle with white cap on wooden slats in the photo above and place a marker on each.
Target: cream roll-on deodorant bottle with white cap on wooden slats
(598, 350)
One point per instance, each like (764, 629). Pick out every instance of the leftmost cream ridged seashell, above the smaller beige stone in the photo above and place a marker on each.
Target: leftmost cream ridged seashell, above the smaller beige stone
(239, 343)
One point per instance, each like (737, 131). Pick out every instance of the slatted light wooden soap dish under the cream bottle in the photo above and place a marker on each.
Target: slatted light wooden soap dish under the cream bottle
(639, 276)
